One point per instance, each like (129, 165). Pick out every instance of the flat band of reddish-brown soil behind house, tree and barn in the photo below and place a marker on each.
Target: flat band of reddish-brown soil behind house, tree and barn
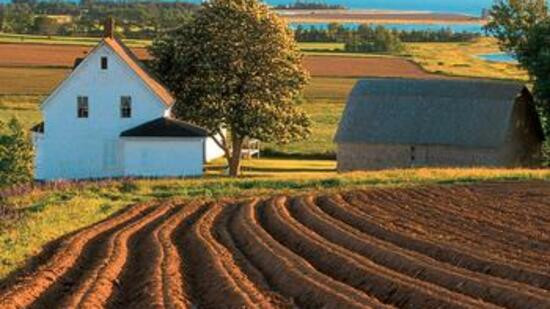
(37, 55)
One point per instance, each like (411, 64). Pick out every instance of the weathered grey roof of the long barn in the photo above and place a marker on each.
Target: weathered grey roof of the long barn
(471, 113)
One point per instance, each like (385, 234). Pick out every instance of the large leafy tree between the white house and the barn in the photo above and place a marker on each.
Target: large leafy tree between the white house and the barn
(236, 68)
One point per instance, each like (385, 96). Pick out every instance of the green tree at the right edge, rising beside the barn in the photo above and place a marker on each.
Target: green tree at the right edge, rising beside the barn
(522, 28)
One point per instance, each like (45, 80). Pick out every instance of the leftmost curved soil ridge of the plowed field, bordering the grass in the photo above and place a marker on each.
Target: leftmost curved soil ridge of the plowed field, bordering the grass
(30, 286)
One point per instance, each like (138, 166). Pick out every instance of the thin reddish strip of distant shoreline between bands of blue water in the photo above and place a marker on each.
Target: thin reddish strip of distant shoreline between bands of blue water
(378, 17)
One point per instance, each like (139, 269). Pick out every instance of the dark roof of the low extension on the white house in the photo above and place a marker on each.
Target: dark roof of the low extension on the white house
(165, 127)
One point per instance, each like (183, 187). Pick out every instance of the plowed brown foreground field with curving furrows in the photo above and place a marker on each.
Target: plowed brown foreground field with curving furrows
(380, 248)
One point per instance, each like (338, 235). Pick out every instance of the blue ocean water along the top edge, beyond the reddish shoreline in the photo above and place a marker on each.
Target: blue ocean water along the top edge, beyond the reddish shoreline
(470, 7)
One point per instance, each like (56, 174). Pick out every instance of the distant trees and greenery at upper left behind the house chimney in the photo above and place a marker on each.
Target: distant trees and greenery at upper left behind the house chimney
(135, 19)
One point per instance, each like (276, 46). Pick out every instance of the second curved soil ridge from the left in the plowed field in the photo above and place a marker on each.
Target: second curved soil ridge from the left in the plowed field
(96, 286)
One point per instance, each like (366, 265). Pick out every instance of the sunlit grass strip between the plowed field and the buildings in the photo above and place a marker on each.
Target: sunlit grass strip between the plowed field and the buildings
(35, 218)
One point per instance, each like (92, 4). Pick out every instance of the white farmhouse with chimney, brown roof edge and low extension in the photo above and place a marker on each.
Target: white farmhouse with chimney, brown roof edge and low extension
(110, 118)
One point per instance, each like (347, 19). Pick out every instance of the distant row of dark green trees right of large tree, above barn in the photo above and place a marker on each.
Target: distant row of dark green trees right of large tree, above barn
(338, 33)
